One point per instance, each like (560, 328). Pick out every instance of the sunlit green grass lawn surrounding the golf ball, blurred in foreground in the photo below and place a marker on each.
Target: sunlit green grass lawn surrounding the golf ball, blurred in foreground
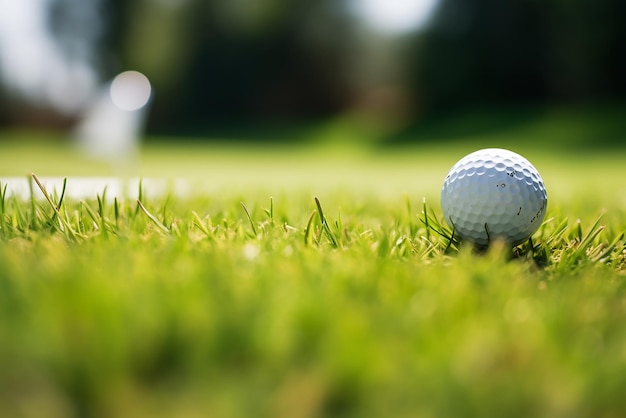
(305, 283)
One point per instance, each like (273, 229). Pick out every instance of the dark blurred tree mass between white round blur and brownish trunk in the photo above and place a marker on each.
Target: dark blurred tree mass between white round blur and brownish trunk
(231, 61)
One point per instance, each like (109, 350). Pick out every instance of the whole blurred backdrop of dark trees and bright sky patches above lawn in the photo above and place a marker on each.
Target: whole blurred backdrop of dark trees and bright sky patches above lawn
(401, 70)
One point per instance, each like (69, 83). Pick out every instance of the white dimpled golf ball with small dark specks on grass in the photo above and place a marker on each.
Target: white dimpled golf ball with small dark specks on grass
(493, 194)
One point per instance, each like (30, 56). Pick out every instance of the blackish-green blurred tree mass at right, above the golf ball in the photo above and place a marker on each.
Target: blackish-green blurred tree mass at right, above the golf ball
(538, 50)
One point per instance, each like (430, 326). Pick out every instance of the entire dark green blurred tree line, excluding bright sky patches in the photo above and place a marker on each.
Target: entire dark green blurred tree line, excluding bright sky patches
(232, 61)
